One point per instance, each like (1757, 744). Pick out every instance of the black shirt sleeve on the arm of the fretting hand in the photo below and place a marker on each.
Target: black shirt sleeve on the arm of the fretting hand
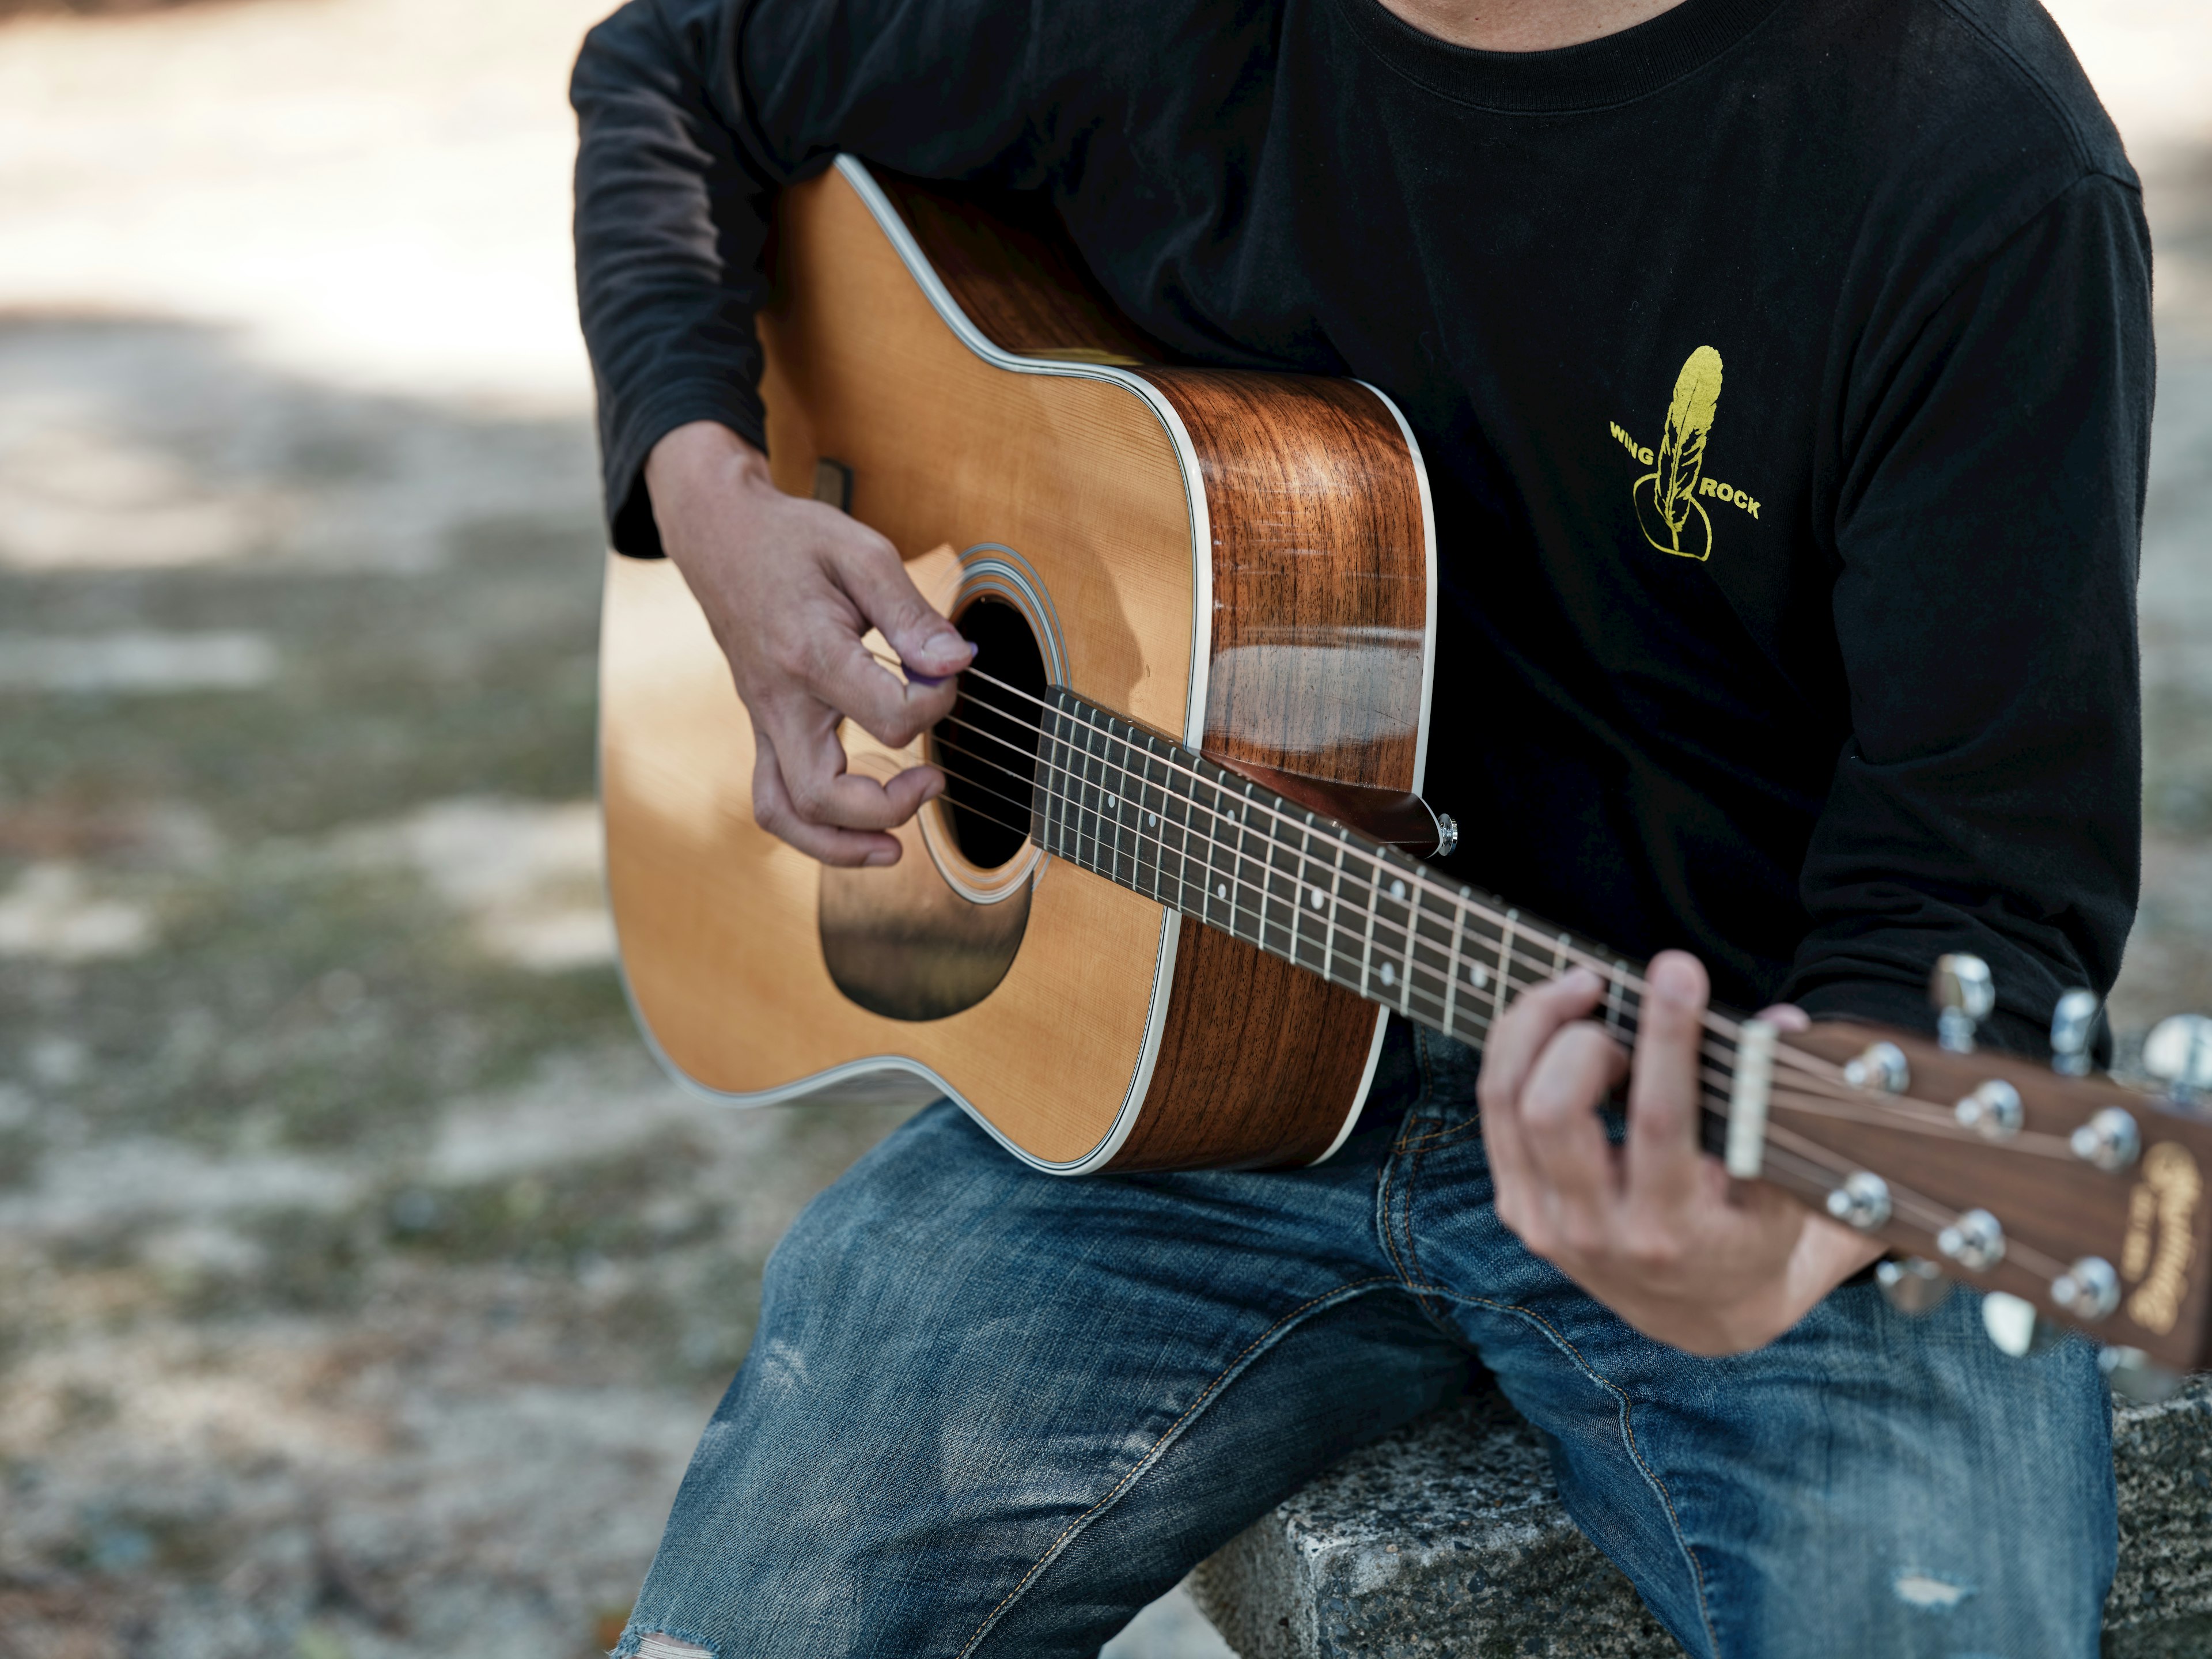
(1987, 545)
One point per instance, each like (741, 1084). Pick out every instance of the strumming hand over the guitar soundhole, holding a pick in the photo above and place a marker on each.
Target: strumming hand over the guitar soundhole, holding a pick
(791, 587)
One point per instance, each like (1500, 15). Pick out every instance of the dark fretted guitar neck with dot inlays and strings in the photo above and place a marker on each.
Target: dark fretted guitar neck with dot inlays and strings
(1149, 815)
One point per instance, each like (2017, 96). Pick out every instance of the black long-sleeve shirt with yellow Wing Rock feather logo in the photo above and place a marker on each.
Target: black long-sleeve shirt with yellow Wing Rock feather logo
(1782, 368)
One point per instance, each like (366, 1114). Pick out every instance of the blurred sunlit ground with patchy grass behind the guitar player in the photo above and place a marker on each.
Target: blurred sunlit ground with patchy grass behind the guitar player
(362, 1284)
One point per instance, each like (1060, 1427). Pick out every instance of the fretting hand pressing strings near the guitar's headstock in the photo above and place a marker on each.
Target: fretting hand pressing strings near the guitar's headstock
(1653, 1229)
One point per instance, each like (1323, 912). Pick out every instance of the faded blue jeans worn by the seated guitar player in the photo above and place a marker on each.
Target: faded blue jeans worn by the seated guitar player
(999, 1412)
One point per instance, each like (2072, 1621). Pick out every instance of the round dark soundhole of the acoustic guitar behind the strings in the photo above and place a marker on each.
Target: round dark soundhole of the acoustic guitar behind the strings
(990, 742)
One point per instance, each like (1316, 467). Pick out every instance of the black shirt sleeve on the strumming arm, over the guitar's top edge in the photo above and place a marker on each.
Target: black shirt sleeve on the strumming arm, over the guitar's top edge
(696, 114)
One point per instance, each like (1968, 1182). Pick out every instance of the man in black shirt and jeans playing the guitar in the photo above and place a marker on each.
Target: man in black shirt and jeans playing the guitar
(1861, 696)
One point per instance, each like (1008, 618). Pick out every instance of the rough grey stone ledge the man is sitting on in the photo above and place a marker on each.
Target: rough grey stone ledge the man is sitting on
(1450, 1541)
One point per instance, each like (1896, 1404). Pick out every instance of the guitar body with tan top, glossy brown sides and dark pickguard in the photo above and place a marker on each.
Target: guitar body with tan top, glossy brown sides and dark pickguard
(1242, 563)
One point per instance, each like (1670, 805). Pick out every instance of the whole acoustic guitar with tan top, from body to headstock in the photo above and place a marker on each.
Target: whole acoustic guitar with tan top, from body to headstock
(1182, 873)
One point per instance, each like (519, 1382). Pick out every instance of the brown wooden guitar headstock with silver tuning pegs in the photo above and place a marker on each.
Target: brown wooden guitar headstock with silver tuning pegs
(2074, 1193)
